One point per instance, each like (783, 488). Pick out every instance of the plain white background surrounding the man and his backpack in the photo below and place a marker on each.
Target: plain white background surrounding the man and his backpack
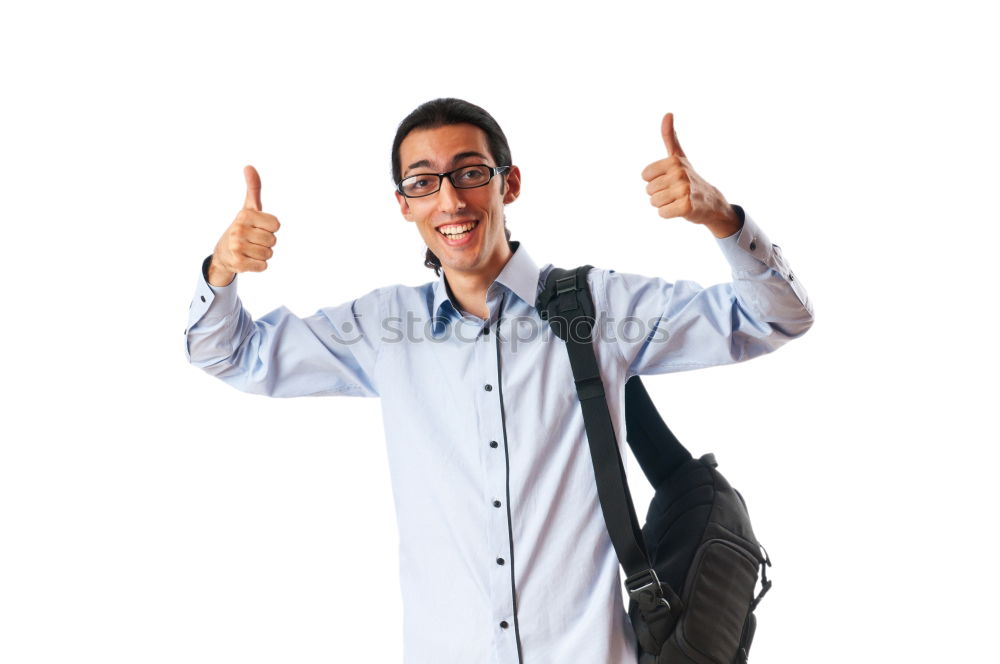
(151, 513)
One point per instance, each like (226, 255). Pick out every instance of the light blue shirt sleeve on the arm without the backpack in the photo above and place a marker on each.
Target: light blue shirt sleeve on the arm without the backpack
(332, 352)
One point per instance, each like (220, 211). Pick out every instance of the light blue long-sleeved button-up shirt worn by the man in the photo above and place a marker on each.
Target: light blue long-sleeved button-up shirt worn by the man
(504, 554)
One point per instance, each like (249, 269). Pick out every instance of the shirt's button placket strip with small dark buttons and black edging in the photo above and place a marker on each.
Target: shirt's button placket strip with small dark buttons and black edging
(497, 461)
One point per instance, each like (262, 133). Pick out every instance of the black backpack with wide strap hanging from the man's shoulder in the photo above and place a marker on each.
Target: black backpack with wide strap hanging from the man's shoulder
(691, 570)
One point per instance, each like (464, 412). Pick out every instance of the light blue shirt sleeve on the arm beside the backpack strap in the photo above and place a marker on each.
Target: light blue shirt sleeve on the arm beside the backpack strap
(661, 327)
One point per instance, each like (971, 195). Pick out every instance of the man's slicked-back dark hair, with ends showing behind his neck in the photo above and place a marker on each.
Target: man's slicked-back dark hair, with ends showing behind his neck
(448, 111)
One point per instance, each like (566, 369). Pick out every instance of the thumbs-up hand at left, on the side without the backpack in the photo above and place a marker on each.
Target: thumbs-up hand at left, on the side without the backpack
(246, 244)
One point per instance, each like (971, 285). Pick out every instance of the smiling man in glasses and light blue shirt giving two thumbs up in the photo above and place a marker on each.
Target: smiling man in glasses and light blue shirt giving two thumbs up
(504, 554)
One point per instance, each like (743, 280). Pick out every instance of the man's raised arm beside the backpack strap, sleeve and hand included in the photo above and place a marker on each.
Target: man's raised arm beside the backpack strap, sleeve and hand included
(681, 325)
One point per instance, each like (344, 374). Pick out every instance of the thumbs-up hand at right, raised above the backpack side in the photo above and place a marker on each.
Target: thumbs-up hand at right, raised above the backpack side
(677, 191)
